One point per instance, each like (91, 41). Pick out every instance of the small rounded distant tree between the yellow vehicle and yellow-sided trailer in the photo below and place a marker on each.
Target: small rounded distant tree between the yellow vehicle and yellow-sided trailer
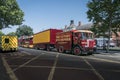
(24, 30)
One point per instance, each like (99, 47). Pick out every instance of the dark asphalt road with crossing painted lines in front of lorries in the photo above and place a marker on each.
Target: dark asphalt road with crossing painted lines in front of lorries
(30, 64)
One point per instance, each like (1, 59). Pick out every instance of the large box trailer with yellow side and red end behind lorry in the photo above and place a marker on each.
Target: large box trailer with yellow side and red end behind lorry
(45, 39)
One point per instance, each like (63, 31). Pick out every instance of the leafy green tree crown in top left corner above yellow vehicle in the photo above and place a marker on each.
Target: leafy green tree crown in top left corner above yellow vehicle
(10, 13)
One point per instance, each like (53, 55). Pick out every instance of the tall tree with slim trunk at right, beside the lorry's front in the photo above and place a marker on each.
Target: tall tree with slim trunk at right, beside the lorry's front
(105, 12)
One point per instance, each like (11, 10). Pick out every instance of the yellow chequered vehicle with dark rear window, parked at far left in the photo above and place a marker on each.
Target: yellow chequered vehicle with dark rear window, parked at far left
(8, 43)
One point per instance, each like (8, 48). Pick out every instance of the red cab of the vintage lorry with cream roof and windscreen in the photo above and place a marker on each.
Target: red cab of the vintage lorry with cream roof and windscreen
(83, 41)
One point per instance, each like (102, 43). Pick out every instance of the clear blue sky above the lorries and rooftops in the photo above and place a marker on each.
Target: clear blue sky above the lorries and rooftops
(45, 14)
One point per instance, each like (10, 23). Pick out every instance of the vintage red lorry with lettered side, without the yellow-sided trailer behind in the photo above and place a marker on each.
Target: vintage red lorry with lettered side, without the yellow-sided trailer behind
(76, 41)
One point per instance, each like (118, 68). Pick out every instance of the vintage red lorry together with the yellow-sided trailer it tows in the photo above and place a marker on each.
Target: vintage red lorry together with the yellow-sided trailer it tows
(76, 41)
